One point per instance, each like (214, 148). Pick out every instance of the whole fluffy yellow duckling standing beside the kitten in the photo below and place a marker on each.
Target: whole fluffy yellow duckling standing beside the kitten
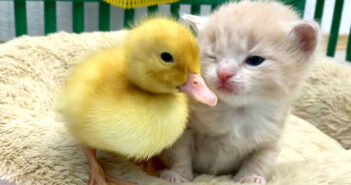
(131, 99)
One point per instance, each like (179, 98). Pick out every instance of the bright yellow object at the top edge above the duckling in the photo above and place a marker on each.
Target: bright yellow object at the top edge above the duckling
(127, 4)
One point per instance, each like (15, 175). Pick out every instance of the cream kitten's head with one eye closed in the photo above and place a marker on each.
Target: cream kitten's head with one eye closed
(253, 51)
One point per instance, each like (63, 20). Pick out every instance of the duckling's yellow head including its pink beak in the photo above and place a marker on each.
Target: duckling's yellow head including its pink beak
(162, 56)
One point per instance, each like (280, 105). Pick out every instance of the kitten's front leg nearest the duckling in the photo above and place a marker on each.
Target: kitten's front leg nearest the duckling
(178, 159)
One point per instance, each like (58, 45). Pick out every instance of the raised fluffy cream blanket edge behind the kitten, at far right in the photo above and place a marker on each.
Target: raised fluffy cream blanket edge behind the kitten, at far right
(325, 100)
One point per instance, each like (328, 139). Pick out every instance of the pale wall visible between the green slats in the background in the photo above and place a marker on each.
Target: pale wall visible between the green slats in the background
(35, 15)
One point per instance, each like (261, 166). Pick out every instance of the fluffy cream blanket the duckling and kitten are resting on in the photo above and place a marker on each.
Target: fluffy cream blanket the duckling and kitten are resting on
(35, 149)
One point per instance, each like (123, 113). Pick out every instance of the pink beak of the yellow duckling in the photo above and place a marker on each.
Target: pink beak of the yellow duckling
(196, 87)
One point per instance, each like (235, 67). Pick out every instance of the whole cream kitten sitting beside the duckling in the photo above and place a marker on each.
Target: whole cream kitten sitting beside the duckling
(255, 56)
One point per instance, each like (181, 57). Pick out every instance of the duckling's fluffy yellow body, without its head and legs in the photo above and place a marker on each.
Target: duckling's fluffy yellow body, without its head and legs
(112, 114)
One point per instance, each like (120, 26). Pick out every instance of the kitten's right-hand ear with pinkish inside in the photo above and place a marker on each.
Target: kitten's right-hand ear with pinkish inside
(307, 33)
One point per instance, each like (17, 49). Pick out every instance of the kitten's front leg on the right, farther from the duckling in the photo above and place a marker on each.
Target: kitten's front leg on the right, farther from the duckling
(257, 167)
